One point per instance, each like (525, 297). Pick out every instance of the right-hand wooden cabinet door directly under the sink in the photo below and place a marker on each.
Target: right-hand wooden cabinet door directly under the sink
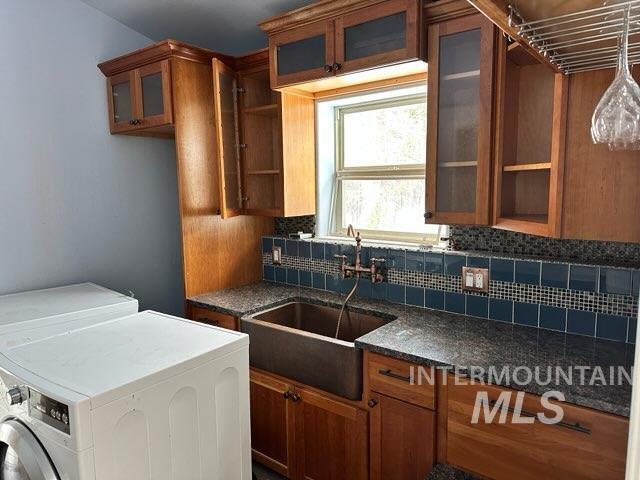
(331, 439)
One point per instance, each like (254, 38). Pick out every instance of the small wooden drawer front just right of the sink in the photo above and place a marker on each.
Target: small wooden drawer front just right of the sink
(393, 377)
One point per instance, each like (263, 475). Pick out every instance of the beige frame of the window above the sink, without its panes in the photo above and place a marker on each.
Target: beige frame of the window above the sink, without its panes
(388, 172)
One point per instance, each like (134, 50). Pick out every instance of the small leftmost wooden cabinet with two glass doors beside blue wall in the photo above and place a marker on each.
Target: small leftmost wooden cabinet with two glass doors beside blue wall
(140, 98)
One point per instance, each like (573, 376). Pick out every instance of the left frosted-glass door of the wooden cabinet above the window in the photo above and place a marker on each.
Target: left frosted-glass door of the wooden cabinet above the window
(303, 54)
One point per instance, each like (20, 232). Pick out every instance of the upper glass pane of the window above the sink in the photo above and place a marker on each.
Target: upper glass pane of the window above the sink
(393, 135)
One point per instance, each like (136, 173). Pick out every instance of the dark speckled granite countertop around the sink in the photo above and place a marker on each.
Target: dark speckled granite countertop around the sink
(434, 338)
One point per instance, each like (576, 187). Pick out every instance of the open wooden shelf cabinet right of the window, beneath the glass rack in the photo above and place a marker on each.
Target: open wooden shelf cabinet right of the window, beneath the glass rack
(529, 165)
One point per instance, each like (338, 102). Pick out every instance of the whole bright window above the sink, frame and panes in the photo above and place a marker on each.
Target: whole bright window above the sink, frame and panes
(379, 166)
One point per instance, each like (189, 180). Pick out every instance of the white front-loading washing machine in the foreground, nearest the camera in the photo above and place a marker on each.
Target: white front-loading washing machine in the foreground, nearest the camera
(145, 396)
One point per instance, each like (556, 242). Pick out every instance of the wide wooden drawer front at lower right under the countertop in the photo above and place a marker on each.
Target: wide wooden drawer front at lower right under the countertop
(594, 450)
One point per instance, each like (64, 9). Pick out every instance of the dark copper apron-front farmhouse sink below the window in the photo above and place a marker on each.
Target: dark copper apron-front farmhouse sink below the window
(296, 341)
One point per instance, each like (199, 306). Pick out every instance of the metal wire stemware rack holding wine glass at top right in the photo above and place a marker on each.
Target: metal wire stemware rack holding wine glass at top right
(582, 41)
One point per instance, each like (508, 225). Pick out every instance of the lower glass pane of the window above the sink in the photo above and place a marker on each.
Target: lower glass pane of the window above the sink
(390, 205)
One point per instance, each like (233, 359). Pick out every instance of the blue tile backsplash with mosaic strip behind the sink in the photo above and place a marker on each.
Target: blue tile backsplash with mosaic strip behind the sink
(593, 300)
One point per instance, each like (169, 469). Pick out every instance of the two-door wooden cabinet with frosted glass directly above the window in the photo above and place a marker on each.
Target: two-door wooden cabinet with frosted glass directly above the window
(331, 38)
